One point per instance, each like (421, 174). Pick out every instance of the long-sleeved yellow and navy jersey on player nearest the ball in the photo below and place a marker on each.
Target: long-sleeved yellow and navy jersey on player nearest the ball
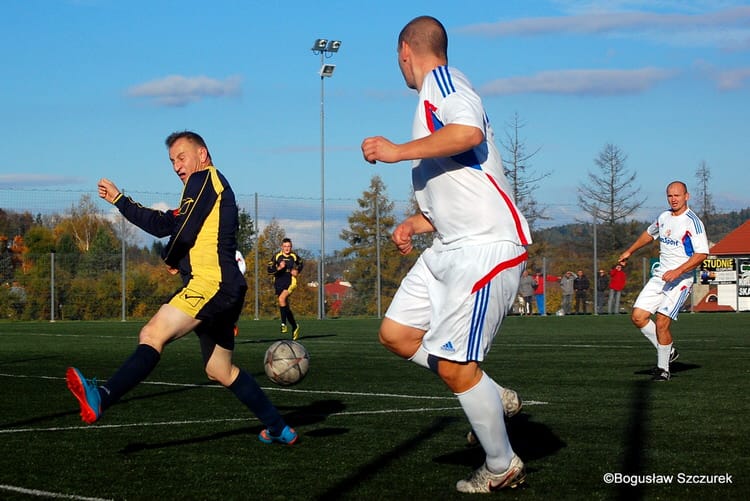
(202, 231)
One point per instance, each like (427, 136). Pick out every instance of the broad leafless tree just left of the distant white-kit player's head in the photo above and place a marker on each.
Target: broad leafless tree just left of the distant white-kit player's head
(610, 195)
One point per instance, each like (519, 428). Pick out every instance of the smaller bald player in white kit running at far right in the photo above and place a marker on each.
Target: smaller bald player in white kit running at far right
(683, 246)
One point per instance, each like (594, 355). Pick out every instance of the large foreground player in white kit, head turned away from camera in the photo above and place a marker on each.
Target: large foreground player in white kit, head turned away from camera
(451, 303)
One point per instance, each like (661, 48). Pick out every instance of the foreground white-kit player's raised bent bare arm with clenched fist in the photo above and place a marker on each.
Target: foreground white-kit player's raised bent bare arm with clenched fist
(448, 141)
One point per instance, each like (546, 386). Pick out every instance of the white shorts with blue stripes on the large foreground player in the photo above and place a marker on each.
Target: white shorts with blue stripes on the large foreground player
(459, 297)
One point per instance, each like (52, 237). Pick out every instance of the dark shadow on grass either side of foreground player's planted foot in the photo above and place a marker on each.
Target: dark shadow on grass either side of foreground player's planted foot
(529, 439)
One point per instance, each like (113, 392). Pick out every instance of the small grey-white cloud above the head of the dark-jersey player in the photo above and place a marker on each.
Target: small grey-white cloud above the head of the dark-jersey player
(178, 90)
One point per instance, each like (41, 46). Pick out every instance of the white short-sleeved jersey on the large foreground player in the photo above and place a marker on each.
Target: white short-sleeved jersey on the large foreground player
(467, 198)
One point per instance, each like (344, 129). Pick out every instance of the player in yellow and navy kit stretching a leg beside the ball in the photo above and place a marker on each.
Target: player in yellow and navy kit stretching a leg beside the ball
(202, 245)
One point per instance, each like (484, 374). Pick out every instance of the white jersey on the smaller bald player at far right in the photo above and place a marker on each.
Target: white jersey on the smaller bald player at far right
(679, 238)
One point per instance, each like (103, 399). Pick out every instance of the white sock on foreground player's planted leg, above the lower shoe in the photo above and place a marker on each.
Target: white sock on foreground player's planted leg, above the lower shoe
(484, 409)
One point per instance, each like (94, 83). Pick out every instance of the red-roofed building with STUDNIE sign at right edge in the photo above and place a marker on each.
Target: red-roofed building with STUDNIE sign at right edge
(724, 283)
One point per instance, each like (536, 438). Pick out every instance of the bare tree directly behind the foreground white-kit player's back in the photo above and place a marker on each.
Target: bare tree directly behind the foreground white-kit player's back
(523, 179)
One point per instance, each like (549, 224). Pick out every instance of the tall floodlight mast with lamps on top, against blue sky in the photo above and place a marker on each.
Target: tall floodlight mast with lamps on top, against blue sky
(325, 48)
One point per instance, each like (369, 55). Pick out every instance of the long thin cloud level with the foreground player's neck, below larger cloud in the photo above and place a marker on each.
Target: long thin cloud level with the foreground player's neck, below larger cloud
(580, 82)
